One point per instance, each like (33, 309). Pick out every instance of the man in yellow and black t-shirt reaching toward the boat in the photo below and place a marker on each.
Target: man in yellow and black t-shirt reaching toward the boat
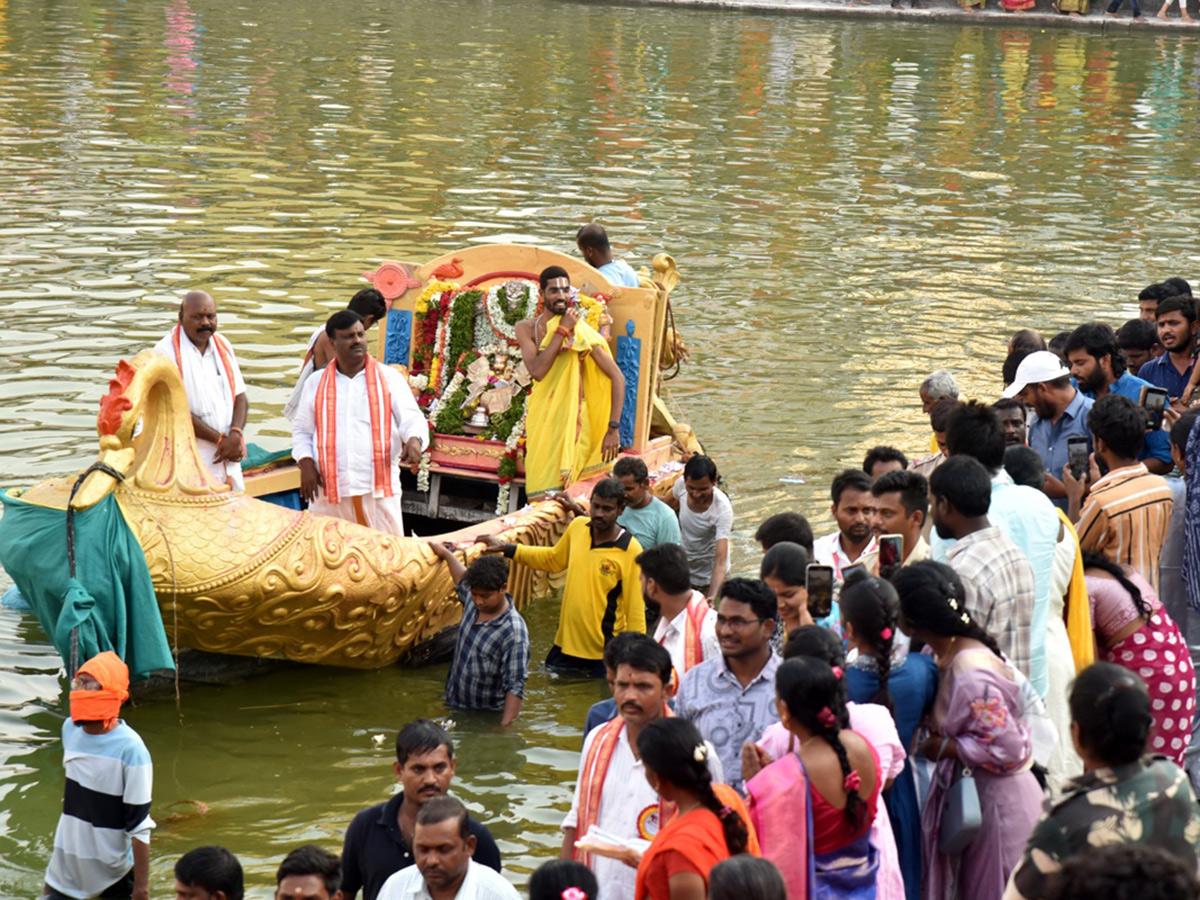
(603, 595)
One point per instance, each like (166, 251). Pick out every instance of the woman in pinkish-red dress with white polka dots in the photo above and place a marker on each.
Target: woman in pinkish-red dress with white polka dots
(1135, 632)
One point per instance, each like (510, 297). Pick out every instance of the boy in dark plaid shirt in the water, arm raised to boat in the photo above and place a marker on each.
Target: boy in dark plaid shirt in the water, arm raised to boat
(491, 656)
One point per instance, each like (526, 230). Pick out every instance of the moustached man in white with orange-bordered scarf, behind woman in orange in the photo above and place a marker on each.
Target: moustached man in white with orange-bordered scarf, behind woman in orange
(613, 793)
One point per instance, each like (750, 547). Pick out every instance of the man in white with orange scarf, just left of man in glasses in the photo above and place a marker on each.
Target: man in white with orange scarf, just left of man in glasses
(687, 625)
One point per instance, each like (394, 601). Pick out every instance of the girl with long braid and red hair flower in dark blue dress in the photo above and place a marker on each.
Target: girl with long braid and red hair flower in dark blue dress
(905, 685)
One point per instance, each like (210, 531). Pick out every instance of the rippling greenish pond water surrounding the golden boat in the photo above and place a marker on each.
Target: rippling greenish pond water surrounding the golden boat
(851, 206)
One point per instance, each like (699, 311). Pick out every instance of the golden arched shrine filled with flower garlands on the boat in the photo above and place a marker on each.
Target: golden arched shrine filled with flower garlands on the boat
(453, 325)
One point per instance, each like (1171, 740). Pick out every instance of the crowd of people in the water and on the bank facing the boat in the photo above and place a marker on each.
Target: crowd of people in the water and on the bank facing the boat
(1000, 712)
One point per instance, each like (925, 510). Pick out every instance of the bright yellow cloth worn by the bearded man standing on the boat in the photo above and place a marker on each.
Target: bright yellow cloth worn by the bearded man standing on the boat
(568, 415)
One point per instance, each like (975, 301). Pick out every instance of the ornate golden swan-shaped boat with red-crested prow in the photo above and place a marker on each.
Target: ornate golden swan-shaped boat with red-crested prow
(237, 575)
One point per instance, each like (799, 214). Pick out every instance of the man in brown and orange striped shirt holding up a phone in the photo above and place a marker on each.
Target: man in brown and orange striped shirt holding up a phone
(1127, 512)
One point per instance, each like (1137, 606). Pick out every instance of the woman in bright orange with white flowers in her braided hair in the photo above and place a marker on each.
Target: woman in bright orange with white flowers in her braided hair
(711, 823)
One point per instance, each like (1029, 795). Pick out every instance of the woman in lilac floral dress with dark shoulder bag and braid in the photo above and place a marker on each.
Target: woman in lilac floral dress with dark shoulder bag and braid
(977, 724)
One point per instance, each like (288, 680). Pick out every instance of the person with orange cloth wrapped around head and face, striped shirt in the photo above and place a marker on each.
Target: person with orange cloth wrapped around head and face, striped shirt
(103, 844)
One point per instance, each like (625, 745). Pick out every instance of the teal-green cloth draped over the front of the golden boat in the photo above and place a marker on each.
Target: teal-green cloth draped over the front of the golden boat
(112, 598)
